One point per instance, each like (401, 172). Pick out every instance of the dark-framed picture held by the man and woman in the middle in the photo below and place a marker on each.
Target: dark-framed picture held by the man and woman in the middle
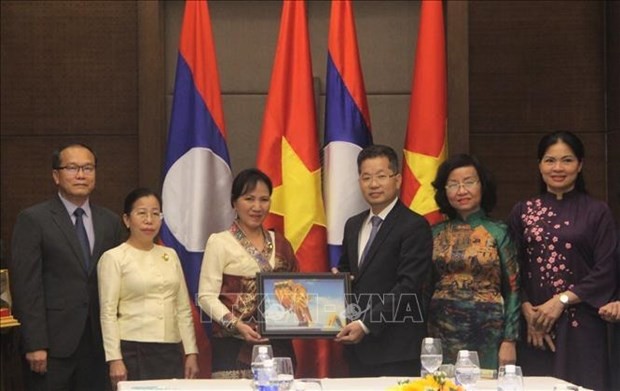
(302, 305)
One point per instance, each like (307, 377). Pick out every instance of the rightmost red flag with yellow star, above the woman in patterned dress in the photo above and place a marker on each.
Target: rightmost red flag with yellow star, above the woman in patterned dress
(426, 142)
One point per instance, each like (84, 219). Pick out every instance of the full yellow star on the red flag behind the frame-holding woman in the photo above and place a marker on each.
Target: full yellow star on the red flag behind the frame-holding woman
(298, 199)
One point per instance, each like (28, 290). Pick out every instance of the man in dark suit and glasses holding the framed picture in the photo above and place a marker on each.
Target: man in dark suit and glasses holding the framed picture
(387, 323)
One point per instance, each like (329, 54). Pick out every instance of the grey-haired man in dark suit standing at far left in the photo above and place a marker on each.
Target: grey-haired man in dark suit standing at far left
(55, 249)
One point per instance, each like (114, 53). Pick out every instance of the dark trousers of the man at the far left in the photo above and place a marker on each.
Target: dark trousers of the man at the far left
(84, 370)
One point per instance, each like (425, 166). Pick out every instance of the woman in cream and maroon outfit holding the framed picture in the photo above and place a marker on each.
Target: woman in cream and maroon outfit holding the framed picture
(227, 289)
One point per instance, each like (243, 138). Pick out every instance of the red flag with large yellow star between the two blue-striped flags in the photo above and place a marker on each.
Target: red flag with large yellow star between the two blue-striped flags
(289, 154)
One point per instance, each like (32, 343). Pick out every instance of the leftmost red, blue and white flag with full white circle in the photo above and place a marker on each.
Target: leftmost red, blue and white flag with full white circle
(197, 174)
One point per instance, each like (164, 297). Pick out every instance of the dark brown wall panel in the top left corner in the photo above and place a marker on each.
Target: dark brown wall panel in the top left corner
(68, 67)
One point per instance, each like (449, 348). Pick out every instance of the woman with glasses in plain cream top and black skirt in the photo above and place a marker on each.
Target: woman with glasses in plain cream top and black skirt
(146, 320)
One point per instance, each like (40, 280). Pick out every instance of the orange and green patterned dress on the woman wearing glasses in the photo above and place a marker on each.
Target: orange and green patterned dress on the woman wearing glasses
(475, 304)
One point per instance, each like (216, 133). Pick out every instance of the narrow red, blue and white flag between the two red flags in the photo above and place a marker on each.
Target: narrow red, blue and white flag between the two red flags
(347, 126)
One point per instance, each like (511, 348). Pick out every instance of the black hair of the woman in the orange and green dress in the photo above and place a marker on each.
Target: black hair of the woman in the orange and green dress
(487, 183)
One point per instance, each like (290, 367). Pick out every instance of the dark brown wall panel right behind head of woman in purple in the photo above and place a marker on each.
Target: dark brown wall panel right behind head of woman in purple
(512, 159)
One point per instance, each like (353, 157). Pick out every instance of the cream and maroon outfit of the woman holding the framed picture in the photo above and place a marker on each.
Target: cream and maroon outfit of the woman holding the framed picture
(227, 290)
